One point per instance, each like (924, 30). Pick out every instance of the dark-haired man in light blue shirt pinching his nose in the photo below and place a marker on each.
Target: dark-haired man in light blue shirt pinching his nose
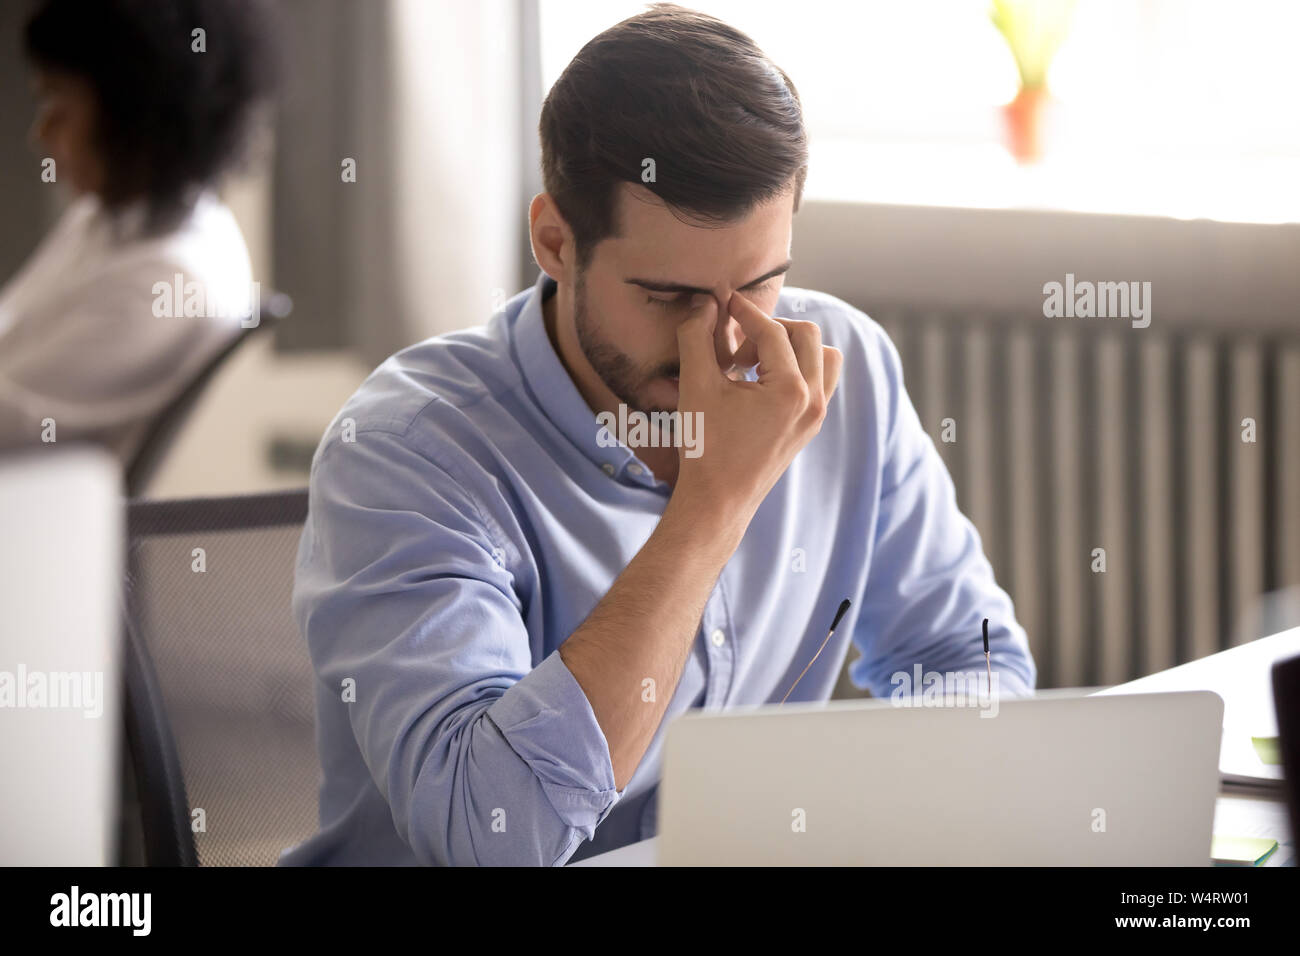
(509, 592)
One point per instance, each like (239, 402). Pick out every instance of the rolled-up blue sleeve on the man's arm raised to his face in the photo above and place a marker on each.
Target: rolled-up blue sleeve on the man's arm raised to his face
(406, 598)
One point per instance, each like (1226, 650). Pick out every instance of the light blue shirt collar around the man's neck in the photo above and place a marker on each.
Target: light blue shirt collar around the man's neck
(554, 392)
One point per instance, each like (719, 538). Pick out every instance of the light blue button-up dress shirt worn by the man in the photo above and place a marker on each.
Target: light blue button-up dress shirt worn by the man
(466, 520)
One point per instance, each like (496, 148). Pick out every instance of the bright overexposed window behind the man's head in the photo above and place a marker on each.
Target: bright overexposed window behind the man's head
(1182, 109)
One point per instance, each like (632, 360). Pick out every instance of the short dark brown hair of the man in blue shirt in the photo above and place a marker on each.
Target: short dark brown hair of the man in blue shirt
(722, 123)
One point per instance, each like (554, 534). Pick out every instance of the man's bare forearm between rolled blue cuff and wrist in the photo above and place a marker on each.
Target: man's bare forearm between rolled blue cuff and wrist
(644, 628)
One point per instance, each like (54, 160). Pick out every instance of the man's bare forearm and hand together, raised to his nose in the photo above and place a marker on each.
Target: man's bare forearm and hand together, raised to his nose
(647, 624)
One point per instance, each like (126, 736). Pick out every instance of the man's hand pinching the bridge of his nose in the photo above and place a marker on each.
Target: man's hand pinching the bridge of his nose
(752, 430)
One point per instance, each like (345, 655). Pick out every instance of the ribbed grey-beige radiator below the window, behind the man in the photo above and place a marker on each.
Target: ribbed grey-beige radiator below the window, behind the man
(1073, 435)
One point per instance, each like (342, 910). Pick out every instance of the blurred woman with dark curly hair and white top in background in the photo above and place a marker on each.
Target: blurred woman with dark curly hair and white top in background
(142, 107)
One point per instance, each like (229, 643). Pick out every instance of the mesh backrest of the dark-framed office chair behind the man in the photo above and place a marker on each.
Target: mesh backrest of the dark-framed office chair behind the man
(220, 711)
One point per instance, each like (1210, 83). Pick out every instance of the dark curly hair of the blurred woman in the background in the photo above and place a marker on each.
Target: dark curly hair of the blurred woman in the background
(171, 120)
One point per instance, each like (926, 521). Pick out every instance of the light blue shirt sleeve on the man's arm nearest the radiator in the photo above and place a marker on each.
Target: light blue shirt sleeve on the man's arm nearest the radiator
(930, 585)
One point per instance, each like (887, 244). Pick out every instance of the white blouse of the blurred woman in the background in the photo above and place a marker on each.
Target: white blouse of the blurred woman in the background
(94, 338)
